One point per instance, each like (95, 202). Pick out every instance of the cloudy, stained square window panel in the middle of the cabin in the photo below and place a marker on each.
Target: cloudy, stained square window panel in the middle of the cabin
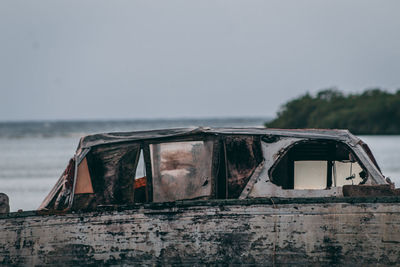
(181, 170)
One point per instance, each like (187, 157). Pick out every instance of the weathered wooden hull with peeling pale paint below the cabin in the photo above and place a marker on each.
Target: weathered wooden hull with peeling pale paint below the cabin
(265, 232)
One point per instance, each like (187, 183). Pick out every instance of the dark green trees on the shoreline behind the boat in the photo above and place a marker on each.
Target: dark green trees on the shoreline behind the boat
(373, 112)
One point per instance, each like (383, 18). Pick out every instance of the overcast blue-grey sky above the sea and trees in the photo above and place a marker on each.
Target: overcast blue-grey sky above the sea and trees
(167, 58)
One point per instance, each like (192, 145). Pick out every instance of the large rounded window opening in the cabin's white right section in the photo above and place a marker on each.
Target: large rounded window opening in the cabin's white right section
(317, 165)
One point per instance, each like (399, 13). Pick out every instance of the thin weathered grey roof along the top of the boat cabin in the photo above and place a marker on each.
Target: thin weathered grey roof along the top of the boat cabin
(117, 137)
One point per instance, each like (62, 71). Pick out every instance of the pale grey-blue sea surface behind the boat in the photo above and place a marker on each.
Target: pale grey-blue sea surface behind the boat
(34, 154)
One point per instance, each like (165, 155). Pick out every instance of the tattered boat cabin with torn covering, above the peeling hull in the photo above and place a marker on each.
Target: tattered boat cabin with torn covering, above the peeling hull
(204, 163)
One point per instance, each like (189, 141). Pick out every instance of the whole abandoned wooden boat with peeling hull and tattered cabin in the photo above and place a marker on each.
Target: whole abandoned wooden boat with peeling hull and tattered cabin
(202, 195)
